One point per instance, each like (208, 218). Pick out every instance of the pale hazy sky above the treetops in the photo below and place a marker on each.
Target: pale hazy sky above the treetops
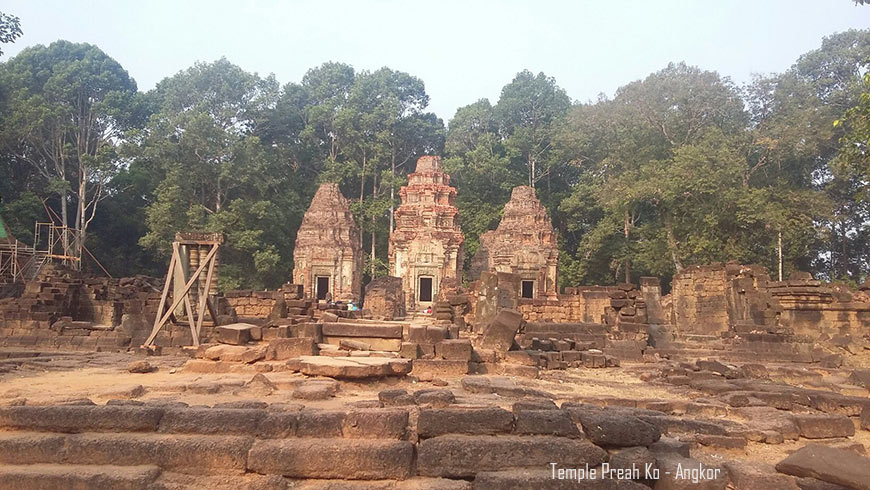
(462, 50)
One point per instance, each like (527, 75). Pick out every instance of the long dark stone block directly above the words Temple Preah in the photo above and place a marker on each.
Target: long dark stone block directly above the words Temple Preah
(463, 456)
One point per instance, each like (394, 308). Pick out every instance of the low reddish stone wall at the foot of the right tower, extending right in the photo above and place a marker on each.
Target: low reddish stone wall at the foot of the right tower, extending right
(586, 304)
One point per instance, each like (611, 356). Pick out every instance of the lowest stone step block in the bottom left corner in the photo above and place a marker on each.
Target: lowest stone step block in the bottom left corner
(95, 477)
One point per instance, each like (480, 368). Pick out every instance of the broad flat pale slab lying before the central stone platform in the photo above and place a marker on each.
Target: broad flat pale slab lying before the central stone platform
(350, 367)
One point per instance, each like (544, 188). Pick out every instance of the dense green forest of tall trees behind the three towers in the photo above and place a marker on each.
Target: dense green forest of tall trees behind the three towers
(683, 167)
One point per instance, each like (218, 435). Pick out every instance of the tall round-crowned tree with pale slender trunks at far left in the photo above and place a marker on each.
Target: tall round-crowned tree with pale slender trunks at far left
(67, 108)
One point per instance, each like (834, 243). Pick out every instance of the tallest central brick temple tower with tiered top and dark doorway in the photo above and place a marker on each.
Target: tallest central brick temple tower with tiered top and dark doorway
(426, 246)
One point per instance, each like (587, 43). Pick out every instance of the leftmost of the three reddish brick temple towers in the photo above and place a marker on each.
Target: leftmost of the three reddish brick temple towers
(328, 257)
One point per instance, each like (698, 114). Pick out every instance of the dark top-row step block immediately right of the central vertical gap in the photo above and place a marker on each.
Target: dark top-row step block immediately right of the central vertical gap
(486, 420)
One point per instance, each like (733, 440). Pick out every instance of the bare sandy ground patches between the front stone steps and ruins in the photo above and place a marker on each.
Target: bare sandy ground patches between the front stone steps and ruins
(102, 376)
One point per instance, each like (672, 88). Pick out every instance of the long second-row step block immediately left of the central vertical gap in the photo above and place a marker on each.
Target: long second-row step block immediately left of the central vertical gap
(359, 459)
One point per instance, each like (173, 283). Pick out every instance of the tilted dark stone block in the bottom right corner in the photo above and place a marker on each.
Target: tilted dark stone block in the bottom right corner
(838, 466)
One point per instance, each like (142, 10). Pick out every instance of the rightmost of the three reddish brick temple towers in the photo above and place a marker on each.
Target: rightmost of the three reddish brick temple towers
(524, 243)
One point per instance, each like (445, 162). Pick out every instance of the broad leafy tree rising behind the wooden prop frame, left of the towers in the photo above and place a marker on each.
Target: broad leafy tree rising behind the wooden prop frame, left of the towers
(216, 175)
